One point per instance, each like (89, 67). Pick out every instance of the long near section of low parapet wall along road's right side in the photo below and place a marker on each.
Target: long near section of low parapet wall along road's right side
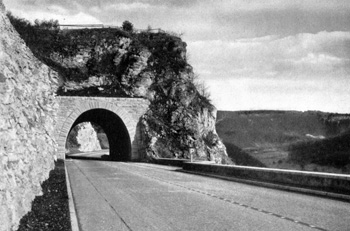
(324, 182)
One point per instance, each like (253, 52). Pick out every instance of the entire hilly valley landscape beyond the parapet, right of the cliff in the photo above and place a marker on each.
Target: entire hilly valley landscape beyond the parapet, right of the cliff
(311, 140)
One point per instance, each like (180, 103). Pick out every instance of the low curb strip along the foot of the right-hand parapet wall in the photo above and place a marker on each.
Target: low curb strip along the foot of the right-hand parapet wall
(275, 186)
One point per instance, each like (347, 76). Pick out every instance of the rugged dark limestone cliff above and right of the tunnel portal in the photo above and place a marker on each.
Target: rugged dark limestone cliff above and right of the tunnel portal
(112, 62)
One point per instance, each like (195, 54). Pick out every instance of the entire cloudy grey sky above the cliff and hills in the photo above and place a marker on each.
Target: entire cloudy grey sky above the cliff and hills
(250, 54)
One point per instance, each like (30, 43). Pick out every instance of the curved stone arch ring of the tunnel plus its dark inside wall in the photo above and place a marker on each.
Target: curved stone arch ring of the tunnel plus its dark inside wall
(118, 124)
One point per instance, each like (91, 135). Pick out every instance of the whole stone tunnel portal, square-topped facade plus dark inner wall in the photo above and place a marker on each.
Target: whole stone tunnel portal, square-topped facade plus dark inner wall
(118, 117)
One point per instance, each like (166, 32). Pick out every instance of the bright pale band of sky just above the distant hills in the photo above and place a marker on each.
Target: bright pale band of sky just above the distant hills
(258, 94)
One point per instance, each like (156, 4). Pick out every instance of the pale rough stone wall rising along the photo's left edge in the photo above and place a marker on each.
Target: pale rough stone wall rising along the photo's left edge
(27, 112)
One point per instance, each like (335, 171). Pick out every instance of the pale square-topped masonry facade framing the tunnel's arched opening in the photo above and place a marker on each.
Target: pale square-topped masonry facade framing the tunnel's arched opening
(129, 110)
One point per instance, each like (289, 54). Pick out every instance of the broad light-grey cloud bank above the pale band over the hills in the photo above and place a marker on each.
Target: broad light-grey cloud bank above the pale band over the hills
(300, 56)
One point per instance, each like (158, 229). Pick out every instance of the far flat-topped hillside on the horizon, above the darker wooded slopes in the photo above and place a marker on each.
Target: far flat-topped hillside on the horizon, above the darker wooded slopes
(262, 129)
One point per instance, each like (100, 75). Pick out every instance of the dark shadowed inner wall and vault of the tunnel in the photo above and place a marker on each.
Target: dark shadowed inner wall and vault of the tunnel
(114, 128)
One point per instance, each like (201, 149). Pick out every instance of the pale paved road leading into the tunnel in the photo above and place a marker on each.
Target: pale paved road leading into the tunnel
(139, 196)
